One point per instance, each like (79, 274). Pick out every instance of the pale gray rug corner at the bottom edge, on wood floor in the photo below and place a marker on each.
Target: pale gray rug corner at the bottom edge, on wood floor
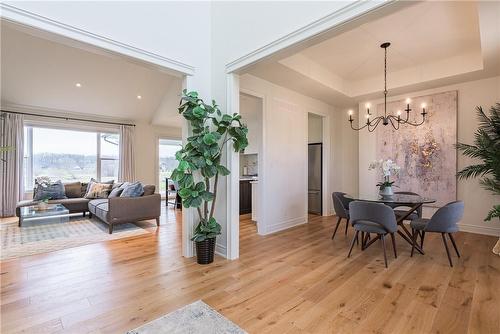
(194, 318)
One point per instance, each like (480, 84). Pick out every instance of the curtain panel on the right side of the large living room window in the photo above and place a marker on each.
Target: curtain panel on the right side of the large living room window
(126, 169)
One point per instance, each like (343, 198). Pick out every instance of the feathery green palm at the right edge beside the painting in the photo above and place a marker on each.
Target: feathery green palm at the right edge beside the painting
(486, 148)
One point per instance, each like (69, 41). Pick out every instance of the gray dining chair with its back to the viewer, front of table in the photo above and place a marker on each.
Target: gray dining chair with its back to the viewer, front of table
(378, 218)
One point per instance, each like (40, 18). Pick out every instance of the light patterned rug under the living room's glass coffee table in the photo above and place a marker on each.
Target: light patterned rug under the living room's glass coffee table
(29, 240)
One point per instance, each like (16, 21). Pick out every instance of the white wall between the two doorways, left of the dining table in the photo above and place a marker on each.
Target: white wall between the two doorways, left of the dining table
(284, 153)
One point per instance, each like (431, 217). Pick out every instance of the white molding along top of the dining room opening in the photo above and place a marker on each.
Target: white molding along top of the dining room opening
(313, 29)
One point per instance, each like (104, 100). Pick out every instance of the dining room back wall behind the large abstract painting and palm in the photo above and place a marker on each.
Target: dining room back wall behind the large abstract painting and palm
(478, 202)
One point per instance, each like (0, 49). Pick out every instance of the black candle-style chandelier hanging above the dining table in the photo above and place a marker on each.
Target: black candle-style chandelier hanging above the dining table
(395, 121)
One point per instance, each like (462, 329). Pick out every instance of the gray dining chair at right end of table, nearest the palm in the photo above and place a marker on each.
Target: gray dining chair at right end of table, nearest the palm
(444, 221)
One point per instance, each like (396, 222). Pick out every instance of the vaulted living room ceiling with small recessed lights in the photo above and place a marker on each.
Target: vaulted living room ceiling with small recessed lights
(40, 73)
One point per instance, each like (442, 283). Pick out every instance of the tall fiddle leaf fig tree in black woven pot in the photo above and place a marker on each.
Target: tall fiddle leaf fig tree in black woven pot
(200, 167)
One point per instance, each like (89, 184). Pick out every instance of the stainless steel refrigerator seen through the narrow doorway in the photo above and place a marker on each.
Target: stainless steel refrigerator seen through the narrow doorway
(315, 182)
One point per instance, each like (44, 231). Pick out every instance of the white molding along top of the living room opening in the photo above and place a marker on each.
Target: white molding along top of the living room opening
(20, 16)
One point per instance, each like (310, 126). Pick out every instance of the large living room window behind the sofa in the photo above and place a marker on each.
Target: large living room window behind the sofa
(69, 155)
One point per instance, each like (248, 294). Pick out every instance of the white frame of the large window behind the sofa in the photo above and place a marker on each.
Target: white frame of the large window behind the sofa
(76, 127)
